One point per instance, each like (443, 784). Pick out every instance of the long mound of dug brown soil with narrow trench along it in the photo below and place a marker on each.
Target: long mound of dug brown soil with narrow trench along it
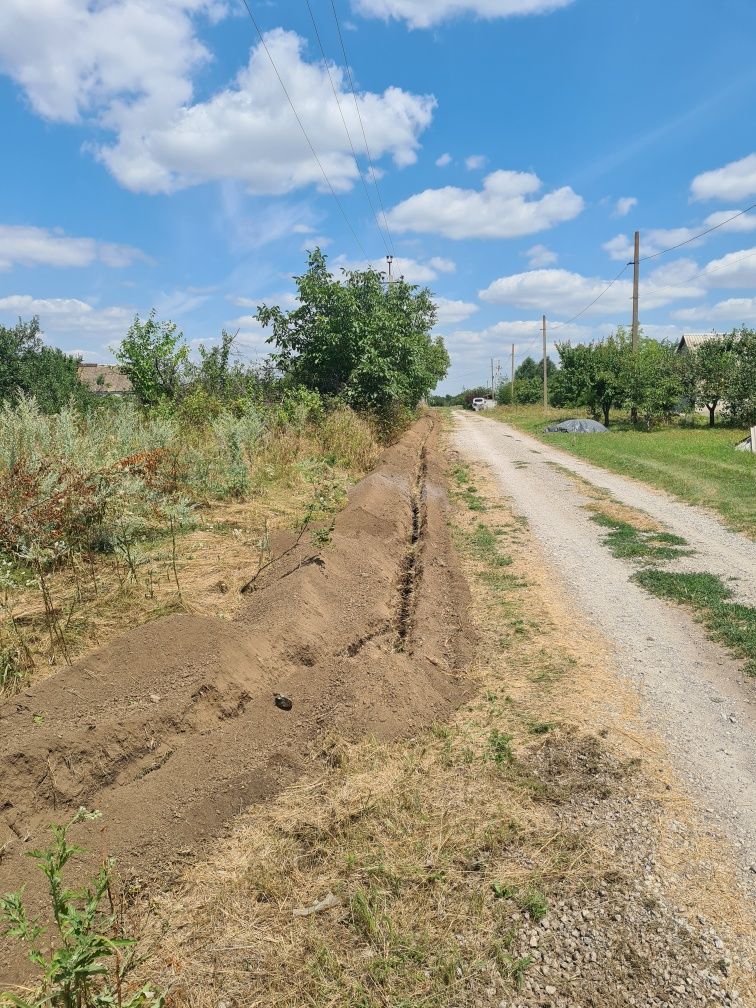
(173, 729)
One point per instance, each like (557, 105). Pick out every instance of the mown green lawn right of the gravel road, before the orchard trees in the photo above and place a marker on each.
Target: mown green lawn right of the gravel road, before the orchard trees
(697, 464)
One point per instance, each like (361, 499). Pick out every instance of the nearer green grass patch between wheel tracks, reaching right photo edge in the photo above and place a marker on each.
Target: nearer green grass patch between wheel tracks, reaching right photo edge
(727, 622)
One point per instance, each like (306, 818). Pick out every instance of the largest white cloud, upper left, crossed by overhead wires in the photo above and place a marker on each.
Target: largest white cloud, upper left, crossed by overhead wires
(128, 67)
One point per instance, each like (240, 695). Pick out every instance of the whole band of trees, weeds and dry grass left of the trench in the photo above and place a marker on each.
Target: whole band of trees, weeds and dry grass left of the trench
(114, 512)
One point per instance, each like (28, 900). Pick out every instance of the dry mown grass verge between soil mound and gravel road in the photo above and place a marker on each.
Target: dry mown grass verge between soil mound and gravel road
(442, 852)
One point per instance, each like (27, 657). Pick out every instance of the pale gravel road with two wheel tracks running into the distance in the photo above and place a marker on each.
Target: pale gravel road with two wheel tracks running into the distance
(696, 695)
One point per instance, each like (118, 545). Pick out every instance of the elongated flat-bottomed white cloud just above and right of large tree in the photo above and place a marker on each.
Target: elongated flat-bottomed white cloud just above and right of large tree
(507, 207)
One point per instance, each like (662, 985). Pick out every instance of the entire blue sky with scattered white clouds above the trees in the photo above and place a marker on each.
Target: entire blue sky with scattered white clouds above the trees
(153, 161)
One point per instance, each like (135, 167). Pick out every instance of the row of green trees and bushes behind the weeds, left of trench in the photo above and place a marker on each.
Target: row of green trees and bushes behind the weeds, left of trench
(352, 339)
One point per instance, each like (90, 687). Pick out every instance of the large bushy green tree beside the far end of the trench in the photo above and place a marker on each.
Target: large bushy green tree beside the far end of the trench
(358, 338)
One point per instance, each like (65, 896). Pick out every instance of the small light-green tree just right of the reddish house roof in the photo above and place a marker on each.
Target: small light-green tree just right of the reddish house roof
(154, 356)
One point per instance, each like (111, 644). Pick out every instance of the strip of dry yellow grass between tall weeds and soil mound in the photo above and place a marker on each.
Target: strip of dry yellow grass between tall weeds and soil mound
(97, 601)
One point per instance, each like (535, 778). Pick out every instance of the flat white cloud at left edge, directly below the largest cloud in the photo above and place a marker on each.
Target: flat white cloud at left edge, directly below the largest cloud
(28, 246)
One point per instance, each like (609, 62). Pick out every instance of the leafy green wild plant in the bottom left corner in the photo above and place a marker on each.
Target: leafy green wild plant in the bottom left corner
(84, 959)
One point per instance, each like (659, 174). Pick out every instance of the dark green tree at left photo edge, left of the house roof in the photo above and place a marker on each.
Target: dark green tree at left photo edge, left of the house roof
(29, 367)
